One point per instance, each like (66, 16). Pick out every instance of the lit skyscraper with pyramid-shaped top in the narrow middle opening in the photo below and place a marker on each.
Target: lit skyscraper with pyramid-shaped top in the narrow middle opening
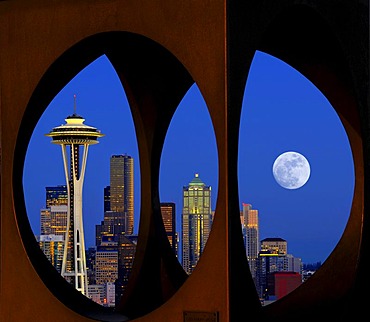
(196, 221)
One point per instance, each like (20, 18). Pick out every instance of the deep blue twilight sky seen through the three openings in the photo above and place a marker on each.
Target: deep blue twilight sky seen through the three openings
(282, 111)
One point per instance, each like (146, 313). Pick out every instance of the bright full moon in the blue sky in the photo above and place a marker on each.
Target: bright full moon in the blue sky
(291, 170)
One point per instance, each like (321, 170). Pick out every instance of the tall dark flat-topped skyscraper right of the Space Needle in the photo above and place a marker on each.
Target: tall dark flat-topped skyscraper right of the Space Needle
(122, 188)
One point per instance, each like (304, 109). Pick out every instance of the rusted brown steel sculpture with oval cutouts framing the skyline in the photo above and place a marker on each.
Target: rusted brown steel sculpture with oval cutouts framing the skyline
(44, 44)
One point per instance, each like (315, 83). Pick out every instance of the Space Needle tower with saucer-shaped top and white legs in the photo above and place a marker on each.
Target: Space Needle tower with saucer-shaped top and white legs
(75, 137)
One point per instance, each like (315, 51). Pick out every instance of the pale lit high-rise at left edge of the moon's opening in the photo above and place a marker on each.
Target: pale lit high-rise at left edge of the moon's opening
(250, 227)
